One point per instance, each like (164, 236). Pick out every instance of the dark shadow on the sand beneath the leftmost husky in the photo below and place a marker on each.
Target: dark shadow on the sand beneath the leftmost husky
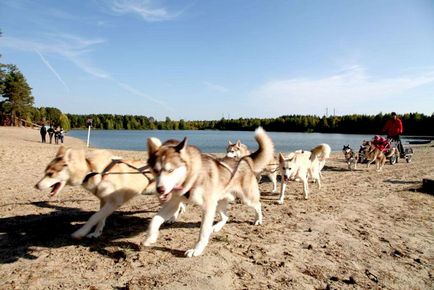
(19, 234)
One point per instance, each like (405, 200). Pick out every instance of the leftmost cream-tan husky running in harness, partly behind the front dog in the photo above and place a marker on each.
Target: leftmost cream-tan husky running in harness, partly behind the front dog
(113, 181)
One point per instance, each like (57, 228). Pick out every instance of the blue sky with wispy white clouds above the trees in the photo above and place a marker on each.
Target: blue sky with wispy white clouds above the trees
(207, 60)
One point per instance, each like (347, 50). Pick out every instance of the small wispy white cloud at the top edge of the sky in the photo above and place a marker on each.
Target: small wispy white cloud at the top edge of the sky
(146, 9)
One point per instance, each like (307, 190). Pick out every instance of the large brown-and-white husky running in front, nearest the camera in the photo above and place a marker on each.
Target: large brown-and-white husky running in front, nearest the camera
(183, 174)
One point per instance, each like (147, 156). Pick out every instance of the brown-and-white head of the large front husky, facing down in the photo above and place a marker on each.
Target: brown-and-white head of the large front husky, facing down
(168, 165)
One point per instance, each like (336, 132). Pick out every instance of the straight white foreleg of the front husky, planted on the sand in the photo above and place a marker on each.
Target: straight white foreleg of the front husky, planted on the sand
(205, 230)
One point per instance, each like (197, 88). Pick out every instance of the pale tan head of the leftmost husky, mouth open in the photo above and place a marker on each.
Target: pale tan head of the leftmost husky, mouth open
(65, 168)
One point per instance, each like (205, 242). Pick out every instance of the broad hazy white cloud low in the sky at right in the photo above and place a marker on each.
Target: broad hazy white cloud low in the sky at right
(351, 89)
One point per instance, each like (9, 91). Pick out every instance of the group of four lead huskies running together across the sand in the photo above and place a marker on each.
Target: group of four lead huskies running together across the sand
(180, 173)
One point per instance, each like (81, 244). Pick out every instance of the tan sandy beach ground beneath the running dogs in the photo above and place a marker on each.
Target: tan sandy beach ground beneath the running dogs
(362, 230)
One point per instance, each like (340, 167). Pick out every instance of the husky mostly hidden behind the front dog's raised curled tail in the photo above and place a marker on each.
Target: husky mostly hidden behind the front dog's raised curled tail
(239, 150)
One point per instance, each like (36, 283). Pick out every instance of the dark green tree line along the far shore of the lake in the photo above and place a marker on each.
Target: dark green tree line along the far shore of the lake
(414, 123)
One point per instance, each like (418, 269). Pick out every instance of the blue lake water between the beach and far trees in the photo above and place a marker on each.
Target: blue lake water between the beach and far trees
(216, 141)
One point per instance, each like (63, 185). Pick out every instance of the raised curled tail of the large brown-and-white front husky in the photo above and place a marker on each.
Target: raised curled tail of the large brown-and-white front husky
(265, 152)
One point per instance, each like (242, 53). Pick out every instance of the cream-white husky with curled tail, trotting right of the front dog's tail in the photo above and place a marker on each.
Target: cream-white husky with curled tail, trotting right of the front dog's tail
(301, 165)
